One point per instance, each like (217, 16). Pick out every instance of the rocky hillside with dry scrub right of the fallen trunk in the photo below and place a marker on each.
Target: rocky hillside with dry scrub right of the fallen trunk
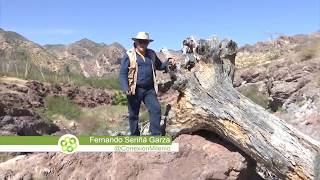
(289, 85)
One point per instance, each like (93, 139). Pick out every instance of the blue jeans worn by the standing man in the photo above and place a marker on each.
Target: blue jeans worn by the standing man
(149, 98)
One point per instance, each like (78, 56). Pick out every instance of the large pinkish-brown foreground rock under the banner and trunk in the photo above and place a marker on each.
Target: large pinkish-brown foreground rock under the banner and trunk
(198, 158)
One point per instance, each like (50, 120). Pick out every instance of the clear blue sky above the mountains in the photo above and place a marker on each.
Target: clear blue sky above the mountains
(167, 21)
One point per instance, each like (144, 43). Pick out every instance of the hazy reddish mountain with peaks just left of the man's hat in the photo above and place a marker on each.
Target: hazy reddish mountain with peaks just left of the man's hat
(94, 59)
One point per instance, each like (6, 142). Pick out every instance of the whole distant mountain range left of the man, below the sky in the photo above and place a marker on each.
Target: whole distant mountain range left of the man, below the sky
(82, 57)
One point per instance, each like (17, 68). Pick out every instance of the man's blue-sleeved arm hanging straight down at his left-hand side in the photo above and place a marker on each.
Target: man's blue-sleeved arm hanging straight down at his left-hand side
(123, 75)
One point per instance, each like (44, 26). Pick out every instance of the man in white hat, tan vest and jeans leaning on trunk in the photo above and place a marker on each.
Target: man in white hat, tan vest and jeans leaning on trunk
(138, 80)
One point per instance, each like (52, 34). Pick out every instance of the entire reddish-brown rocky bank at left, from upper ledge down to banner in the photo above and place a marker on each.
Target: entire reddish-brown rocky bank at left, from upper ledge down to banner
(18, 98)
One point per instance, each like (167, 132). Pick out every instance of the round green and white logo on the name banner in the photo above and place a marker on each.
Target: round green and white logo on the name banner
(68, 143)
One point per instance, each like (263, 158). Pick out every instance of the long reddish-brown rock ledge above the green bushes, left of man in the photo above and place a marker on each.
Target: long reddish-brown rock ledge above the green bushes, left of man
(32, 94)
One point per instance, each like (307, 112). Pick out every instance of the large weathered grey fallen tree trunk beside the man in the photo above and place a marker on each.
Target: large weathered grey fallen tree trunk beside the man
(208, 101)
